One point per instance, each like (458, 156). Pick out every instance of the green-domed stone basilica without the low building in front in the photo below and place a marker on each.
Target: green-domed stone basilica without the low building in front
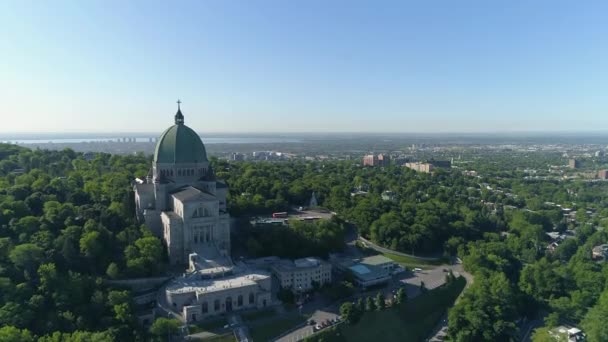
(180, 200)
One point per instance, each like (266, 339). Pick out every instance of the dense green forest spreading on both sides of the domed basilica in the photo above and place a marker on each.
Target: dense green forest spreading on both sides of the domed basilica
(67, 224)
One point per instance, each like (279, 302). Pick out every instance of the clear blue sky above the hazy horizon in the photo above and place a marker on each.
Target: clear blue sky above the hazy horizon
(304, 66)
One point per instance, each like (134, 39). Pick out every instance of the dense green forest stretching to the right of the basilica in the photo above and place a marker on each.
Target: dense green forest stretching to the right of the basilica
(496, 222)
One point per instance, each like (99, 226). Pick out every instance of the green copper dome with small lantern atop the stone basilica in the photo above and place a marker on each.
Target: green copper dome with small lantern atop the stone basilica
(179, 144)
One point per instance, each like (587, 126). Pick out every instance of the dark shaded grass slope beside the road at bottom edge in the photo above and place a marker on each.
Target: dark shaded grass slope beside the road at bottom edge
(412, 321)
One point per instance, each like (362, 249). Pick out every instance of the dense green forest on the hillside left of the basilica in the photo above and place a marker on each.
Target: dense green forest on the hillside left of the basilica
(65, 225)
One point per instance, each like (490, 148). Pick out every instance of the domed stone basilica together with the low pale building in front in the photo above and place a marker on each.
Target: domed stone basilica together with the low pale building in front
(183, 203)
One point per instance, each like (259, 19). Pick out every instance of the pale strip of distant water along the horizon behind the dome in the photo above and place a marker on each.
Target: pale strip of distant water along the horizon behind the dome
(217, 140)
